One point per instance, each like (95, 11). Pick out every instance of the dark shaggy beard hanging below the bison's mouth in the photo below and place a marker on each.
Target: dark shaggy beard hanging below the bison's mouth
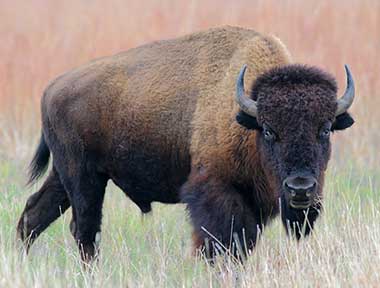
(298, 222)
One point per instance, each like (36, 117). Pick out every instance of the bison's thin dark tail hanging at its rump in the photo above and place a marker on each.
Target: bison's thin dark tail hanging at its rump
(40, 161)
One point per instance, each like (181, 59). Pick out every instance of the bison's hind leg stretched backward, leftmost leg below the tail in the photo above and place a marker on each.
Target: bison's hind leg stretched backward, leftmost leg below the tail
(42, 208)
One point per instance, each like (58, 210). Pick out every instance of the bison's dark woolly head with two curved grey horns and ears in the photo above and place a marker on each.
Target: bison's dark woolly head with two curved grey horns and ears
(295, 109)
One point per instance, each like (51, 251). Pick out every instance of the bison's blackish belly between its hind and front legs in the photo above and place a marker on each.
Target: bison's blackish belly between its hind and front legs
(147, 176)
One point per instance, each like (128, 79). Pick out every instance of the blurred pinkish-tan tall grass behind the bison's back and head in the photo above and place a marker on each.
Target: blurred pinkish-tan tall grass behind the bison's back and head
(40, 39)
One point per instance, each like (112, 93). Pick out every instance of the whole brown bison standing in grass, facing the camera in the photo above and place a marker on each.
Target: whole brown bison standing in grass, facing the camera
(172, 121)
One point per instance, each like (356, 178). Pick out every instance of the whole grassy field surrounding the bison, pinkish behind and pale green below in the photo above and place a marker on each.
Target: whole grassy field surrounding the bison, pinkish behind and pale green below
(41, 39)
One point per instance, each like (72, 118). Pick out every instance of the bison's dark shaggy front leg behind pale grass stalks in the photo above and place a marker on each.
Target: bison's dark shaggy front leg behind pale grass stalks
(222, 220)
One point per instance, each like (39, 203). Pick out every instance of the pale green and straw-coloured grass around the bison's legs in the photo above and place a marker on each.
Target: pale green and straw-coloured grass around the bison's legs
(156, 251)
